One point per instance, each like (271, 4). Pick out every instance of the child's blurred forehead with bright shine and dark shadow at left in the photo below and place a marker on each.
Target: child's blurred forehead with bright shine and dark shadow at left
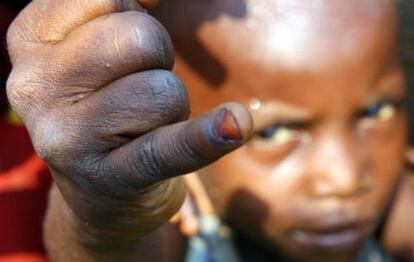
(235, 49)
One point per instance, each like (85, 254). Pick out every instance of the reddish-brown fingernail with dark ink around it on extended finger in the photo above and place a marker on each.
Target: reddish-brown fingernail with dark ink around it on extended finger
(226, 127)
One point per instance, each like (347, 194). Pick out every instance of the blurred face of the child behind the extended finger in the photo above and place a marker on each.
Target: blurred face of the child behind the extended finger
(325, 88)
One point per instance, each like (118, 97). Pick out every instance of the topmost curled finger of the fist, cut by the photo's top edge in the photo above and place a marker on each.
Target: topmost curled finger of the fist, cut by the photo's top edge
(49, 21)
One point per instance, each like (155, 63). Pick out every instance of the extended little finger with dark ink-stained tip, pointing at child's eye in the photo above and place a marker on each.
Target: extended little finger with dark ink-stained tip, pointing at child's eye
(180, 148)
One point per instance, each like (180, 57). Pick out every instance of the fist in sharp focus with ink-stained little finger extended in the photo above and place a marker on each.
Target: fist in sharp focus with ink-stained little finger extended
(91, 80)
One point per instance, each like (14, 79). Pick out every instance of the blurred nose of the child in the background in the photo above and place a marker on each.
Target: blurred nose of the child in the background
(336, 168)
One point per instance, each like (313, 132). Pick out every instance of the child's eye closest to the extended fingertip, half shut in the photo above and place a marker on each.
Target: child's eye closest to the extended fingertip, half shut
(278, 135)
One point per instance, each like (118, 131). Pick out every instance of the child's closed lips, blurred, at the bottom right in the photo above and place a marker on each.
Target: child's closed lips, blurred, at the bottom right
(333, 238)
